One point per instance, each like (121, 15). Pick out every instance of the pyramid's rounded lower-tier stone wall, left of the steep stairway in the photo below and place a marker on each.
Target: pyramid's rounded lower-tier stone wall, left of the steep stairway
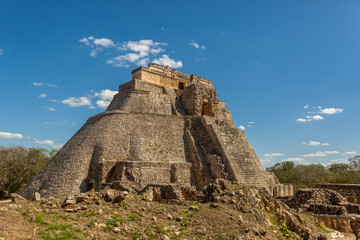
(109, 137)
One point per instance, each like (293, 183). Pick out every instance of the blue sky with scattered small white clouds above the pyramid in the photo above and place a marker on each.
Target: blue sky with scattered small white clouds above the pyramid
(288, 70)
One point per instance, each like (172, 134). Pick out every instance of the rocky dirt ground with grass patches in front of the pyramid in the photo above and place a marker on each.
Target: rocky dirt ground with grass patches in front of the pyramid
(239, 215)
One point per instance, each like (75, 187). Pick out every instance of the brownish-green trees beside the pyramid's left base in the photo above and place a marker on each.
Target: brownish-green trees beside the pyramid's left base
(18, 165)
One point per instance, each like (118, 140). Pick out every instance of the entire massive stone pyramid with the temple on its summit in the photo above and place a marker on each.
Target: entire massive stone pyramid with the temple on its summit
(163, 128)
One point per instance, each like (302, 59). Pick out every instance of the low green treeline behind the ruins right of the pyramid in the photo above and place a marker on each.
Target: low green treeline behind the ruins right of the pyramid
(307, 176)
